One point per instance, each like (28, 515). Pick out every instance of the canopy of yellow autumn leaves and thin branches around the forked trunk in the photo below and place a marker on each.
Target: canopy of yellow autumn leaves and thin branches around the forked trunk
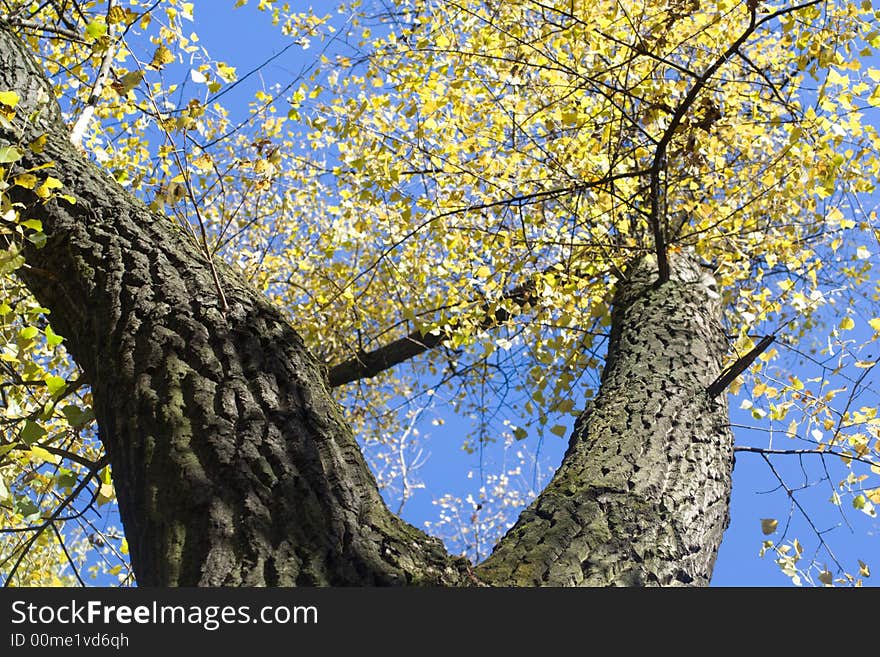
(441, 203)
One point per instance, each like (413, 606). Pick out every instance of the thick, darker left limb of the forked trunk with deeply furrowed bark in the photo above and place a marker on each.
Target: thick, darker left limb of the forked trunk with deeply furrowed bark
(232, 463)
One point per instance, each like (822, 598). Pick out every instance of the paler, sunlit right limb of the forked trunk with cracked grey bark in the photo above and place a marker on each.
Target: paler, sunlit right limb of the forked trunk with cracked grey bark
(642, 495)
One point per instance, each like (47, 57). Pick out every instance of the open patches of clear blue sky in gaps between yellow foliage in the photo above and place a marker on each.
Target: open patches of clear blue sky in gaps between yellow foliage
(245, 38)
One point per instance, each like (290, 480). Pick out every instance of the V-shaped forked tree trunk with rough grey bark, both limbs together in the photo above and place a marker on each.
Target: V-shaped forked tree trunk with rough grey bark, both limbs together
(234, 466)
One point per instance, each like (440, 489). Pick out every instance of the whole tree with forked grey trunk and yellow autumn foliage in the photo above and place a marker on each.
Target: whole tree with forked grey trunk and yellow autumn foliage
(521, 173)
